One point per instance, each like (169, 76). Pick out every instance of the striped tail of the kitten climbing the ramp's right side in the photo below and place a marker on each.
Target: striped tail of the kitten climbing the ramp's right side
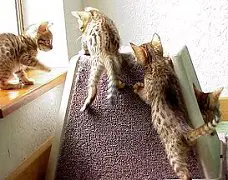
(205, 129)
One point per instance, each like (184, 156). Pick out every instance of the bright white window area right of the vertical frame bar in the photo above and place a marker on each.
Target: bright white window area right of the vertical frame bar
(49, 10)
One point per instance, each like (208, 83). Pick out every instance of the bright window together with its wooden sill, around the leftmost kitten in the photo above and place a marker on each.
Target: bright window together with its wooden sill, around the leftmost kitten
(15, 16)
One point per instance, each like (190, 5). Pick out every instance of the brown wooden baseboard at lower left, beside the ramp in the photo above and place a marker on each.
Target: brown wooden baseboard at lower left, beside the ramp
(34, 167)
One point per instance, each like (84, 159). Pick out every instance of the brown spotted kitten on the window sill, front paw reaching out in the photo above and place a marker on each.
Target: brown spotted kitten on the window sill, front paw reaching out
(19, 52)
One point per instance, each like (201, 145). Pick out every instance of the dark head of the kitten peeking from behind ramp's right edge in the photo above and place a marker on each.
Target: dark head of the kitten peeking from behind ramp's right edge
(208, 103)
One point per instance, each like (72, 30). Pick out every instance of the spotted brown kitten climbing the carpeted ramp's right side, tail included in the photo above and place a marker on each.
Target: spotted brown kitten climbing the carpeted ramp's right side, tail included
(161, 89)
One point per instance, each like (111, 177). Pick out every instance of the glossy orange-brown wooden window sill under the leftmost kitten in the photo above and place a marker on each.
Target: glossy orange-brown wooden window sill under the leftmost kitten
(11, 100)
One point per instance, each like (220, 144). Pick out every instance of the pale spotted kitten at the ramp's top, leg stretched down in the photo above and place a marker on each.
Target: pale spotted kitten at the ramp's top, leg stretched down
(100, 39)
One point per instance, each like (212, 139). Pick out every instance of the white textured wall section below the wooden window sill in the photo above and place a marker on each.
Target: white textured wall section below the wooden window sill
(24, 130)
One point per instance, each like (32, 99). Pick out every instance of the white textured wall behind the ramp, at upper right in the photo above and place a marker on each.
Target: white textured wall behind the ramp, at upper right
(200, 24)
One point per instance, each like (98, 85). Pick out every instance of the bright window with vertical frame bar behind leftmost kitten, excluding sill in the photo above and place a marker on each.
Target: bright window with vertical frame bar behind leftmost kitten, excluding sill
(30, 12)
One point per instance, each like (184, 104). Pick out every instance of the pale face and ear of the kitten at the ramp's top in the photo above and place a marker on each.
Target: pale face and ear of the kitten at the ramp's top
(83, 19)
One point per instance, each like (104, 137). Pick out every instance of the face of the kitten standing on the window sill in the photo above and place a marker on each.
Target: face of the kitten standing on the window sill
(44, 37)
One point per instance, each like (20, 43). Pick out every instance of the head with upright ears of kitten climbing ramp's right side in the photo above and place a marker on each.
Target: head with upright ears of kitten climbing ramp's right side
(148, 51)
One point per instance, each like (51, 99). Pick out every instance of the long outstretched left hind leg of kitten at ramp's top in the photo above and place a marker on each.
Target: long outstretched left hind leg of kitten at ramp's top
(96, 71)
